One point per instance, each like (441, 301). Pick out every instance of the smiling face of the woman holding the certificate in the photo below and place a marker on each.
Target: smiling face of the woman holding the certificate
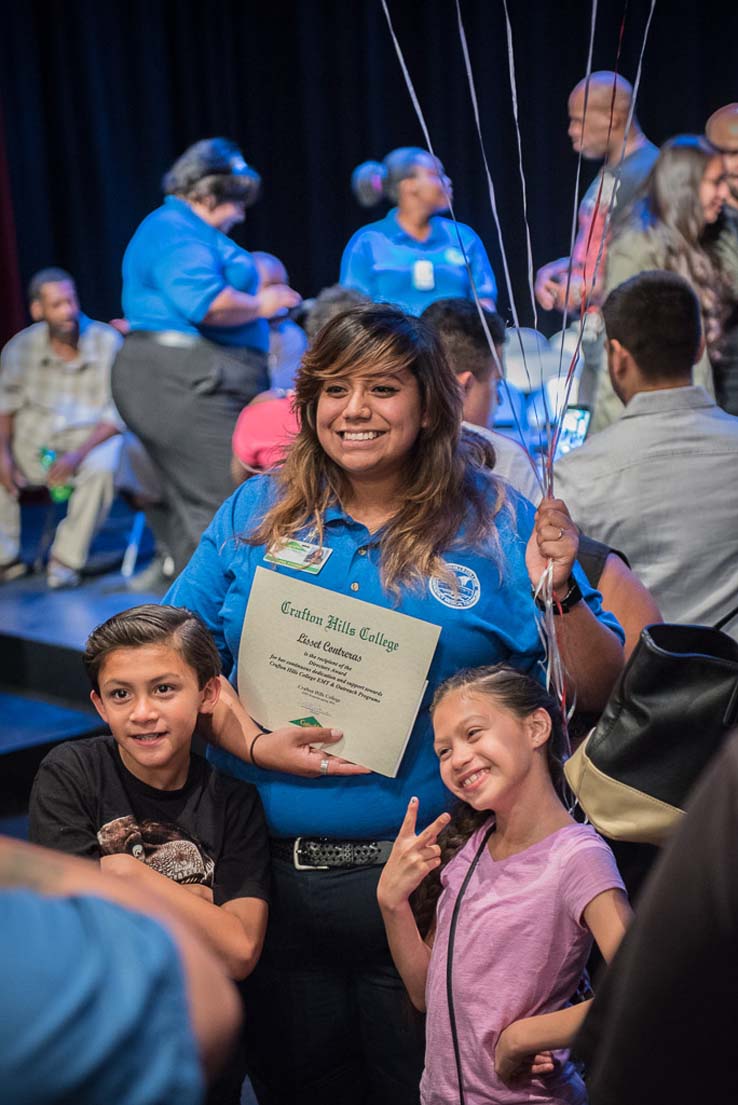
(368, 424)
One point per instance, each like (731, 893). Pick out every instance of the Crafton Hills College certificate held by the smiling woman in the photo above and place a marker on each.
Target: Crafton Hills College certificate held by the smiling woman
(311, 657)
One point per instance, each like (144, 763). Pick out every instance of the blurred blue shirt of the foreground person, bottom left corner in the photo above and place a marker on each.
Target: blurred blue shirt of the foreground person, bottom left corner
(93, 1006)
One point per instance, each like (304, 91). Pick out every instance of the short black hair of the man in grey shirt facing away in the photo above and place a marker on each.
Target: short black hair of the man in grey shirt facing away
(656, 315)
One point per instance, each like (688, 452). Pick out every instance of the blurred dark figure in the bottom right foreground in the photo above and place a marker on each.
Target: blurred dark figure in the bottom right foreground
(660, 1032)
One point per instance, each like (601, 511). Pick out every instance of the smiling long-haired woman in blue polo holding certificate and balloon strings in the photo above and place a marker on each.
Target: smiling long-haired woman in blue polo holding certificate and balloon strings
(416, 523)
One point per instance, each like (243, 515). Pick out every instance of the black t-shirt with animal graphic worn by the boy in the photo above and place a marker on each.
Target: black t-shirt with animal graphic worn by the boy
(212, 832)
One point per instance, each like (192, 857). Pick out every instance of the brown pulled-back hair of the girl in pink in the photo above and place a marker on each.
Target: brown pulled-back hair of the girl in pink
(522, 696)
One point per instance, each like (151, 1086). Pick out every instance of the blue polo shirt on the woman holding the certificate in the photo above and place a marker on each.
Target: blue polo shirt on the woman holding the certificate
(492, 618)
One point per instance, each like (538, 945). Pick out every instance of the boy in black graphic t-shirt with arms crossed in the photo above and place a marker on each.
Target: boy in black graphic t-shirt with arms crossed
(142, 803)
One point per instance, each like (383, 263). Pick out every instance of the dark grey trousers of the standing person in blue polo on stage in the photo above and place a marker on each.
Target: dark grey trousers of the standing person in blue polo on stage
(184, 404)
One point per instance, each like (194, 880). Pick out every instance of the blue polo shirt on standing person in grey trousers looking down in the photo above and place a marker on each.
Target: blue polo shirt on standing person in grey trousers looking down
(175, 267)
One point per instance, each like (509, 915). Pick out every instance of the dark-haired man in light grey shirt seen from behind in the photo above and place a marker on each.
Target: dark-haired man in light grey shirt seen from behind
(660, 483)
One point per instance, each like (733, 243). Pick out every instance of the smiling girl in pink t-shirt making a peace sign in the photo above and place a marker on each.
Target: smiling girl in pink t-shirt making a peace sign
(535, 888)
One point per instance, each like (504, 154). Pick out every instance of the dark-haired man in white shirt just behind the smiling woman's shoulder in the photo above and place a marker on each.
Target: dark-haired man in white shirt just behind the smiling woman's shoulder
(480, 374)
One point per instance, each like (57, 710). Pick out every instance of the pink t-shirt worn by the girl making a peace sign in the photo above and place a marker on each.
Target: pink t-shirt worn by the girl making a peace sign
(520, 950)
